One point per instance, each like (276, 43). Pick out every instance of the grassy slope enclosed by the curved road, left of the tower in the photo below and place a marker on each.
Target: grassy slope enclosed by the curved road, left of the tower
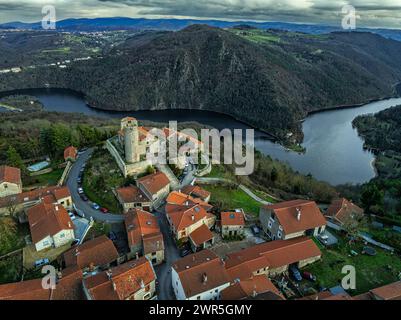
(100, 177)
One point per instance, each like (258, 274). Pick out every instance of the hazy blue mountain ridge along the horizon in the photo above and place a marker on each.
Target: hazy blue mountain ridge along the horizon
(118, 23)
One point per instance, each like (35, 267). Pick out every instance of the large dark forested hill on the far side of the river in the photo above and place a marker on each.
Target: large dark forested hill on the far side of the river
(270, 79)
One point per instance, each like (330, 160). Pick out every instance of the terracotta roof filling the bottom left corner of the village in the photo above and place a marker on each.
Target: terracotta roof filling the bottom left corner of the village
(68, 287)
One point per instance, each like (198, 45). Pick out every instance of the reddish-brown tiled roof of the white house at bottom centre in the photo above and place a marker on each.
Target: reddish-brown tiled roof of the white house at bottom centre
(200, 272)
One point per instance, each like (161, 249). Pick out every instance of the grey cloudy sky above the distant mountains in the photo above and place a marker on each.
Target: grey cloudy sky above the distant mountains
(373, 13)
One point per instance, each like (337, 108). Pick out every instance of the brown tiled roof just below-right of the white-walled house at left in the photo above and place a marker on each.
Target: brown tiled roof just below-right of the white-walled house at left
(97, 252)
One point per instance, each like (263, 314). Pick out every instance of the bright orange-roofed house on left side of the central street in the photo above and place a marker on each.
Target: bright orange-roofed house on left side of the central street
(144, 236)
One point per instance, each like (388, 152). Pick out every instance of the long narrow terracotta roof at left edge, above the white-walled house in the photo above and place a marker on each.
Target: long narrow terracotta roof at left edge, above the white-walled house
(52, 194)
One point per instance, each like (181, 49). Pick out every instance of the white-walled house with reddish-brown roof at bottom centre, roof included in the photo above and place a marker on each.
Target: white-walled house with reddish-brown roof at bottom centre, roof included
(199, 276)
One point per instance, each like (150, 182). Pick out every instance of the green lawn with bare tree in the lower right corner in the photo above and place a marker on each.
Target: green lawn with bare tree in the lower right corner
(371, 271)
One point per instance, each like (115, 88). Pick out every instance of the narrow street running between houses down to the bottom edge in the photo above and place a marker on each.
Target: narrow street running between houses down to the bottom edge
(171, 254)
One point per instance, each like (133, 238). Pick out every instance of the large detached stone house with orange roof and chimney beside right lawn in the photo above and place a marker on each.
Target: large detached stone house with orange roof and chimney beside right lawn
(291, 219)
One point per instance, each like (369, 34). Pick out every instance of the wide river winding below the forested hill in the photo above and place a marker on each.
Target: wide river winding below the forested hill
(334, 151)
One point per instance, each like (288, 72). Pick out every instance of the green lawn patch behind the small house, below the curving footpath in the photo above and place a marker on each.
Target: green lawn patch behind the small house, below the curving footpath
(228, 199)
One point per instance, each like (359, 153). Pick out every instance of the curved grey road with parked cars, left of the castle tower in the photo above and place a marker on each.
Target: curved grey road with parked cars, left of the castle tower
(80, 205)
